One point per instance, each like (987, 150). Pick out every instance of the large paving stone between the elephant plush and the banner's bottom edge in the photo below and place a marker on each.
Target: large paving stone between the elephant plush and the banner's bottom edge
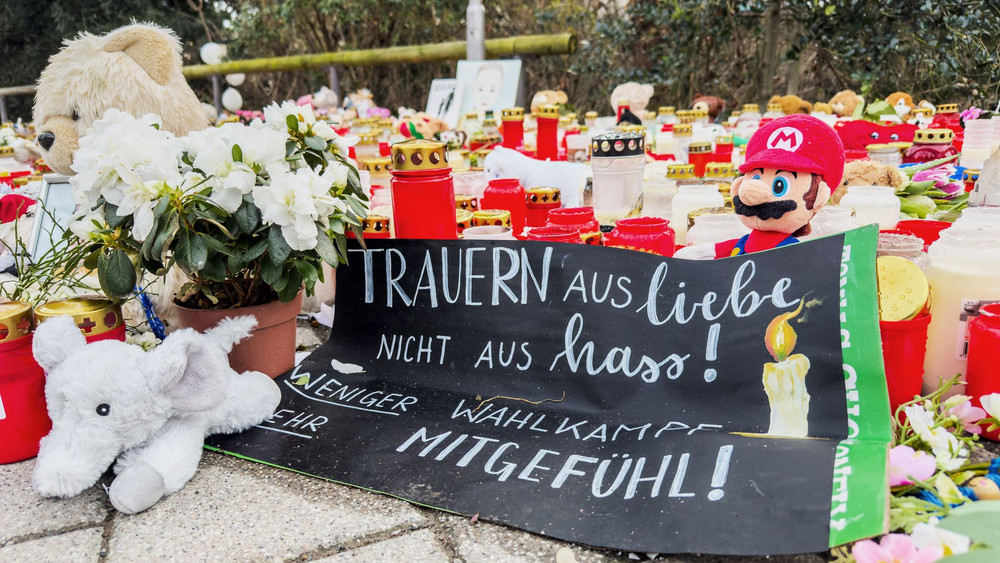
(238, 510)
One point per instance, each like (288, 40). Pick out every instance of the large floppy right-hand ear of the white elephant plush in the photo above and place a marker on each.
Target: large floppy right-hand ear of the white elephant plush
(189, 369)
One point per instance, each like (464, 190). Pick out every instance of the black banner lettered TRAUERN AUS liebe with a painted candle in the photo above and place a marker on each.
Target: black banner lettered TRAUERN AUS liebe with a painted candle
(597, 395)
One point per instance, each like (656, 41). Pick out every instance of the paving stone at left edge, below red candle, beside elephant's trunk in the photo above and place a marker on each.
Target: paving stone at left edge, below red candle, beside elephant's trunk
(25, 513)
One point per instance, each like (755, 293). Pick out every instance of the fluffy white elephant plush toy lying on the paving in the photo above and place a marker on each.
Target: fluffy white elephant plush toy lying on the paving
(151, 410)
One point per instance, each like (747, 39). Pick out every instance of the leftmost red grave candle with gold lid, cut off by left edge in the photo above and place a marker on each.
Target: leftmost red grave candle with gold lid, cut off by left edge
(25, 417)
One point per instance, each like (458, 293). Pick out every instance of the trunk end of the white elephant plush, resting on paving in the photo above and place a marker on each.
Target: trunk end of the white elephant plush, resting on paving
(68, 464)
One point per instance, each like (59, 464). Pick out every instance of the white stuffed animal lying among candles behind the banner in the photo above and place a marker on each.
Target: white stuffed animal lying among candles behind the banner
(569, 177)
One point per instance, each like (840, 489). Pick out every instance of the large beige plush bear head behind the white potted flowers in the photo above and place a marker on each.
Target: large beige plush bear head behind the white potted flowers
(136, 69)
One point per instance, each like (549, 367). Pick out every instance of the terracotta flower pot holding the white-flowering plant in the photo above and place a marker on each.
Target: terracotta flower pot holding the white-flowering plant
(269, 349)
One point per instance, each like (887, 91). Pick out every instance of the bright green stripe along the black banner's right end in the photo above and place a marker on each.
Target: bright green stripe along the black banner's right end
(860, 501)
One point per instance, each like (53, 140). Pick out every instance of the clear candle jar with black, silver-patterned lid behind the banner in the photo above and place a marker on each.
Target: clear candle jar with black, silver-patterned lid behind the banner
(617, 161)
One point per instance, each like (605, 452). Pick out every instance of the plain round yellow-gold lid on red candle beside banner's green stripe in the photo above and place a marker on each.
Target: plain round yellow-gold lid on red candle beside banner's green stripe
(902, 288)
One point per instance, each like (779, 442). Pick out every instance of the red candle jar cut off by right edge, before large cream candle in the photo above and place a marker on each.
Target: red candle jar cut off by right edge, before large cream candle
(982, 377)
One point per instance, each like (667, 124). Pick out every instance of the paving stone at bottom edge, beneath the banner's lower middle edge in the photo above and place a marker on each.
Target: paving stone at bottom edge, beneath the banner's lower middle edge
(482, 541)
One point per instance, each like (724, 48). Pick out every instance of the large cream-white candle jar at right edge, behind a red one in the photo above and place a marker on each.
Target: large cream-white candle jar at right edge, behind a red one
(964, 274)
